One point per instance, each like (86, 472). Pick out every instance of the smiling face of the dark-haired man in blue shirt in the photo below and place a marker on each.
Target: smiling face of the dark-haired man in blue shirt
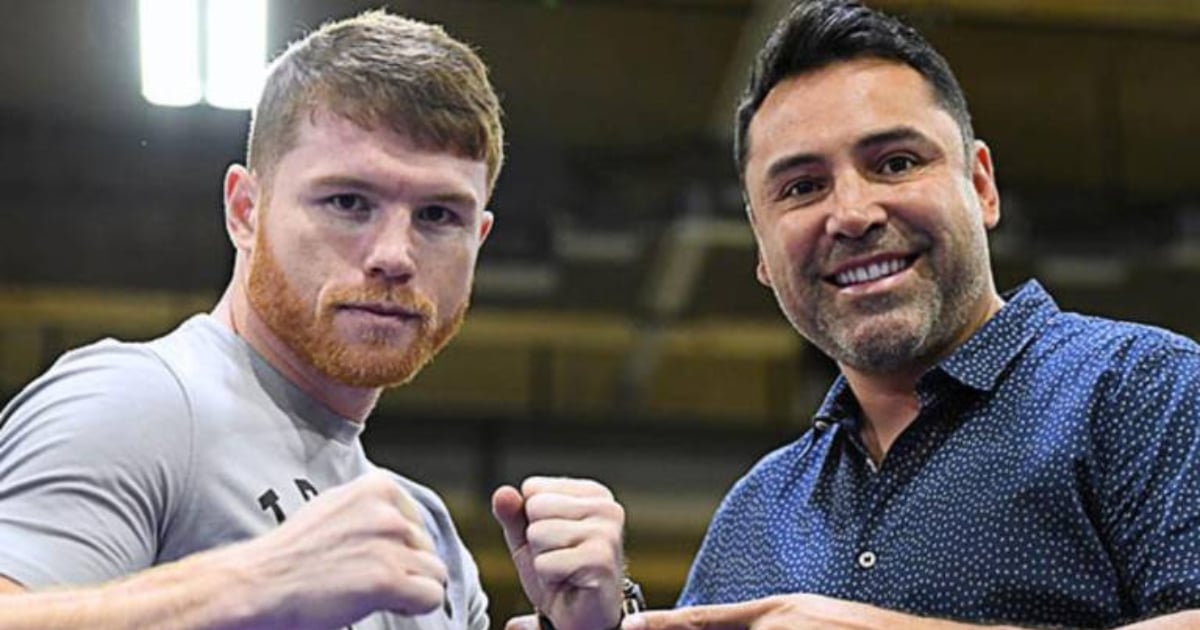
(872, 230)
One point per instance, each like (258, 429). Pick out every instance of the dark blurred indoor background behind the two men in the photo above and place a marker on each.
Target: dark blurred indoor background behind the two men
(619, 332)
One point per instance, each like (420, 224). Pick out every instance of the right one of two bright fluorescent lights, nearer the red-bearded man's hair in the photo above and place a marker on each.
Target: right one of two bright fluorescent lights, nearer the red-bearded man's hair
(237, 53)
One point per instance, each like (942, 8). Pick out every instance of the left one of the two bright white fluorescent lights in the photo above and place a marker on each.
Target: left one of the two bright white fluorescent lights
(171, 58)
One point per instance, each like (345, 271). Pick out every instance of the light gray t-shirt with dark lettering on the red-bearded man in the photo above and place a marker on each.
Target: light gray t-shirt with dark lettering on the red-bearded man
(128, 455)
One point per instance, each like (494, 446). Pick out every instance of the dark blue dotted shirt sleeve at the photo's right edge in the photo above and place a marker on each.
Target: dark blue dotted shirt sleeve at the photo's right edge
(1149, 439)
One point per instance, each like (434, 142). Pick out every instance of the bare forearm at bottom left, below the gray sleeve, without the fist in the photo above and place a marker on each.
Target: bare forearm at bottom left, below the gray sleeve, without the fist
(203, 592)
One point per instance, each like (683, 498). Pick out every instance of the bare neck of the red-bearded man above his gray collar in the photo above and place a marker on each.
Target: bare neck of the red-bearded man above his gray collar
(236, 311)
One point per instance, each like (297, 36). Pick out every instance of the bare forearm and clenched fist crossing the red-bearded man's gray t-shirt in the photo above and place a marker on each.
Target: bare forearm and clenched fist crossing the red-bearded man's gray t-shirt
(352, 551)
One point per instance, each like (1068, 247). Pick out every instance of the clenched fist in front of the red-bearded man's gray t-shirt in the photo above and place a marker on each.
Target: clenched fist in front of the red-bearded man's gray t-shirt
(355, 550)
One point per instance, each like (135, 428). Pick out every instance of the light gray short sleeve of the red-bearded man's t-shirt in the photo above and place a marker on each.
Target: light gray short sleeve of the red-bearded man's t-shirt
(93, 455)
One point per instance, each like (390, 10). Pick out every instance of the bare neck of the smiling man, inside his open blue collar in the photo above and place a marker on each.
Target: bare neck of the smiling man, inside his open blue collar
(889, 400)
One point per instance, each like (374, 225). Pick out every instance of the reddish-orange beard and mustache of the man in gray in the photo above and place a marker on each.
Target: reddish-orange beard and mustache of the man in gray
(376, 357)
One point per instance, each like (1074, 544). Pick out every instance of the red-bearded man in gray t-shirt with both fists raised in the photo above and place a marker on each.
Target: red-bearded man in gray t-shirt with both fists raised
(214, 478)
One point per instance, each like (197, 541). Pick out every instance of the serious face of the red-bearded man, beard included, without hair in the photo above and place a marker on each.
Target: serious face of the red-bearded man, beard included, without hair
(365, 250)
